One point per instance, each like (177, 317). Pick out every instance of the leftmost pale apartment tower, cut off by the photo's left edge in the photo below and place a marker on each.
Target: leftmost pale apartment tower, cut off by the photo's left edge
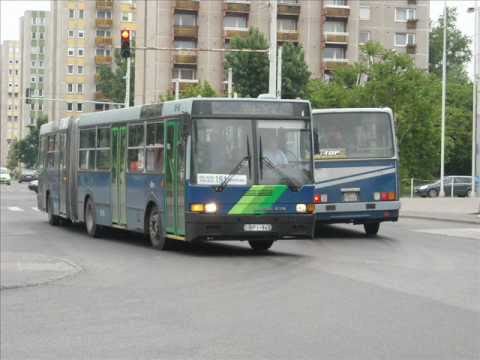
(10, 92)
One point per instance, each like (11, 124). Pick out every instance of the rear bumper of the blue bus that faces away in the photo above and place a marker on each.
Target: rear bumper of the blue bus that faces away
(357, 213)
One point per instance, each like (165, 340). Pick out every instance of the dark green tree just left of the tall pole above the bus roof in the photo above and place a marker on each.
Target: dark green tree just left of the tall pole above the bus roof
(250, 70)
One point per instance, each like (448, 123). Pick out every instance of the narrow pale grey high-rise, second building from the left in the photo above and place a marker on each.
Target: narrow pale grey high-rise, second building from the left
(34, 59)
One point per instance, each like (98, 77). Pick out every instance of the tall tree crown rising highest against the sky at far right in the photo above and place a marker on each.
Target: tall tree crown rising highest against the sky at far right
(458, 47)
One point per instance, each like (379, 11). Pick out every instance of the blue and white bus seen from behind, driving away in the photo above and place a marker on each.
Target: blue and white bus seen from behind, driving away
(356, 167)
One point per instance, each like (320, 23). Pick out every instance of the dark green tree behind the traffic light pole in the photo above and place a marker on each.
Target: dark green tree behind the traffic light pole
(111, 82)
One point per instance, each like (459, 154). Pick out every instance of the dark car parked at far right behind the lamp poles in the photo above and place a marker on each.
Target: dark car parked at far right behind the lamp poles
(462, 186)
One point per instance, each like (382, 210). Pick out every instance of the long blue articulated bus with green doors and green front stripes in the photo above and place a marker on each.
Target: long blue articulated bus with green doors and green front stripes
(193, 170)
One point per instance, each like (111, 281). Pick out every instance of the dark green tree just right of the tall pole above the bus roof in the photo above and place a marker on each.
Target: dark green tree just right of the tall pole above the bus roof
(295, 74)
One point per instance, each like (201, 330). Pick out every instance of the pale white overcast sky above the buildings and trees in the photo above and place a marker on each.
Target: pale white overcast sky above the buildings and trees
(12, 10)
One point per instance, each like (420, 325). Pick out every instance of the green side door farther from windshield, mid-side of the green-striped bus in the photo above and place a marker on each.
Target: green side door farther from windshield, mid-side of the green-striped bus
(118, 201)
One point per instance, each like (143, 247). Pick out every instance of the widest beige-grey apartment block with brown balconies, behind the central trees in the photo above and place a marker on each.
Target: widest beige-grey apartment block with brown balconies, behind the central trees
(331, 32)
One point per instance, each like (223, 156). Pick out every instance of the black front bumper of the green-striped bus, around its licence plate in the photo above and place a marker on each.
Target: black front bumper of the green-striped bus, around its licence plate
(227, 227)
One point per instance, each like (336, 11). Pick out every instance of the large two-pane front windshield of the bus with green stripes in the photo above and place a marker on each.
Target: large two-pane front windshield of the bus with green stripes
(221, 144)
